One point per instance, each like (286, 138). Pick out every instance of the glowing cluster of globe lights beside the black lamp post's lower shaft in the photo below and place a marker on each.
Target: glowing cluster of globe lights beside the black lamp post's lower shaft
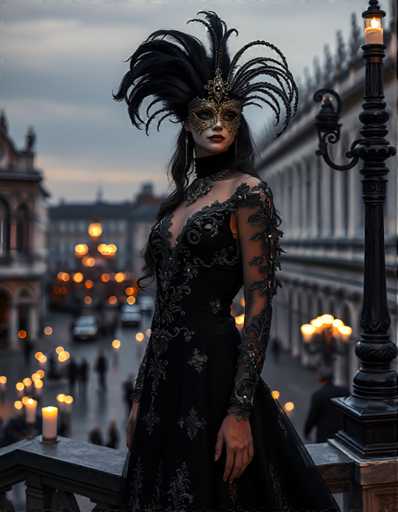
(327, 336)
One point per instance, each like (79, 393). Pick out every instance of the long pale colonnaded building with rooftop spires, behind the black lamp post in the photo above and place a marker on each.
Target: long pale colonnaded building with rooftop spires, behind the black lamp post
(322, 209)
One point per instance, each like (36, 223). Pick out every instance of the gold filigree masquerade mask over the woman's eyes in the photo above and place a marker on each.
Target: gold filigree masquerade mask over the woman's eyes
(205, 112)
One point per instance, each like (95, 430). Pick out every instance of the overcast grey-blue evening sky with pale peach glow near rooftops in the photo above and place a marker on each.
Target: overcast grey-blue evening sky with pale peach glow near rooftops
(60, 60)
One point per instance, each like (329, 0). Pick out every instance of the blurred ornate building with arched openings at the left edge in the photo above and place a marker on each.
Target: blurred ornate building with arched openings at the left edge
(23, 251)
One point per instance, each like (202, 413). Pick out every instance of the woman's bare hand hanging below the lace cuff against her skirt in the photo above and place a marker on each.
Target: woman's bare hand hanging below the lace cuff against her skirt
(236, 432)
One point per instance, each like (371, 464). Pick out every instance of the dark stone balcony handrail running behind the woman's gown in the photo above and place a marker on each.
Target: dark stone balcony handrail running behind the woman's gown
(73, 466)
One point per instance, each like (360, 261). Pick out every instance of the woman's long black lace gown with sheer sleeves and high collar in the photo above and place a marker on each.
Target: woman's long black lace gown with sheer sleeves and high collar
(198, 367)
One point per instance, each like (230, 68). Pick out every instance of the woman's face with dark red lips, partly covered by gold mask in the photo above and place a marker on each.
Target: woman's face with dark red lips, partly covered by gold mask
(207, 119)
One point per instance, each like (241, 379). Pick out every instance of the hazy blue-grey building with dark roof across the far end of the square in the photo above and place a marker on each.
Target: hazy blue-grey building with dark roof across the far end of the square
(126, 224)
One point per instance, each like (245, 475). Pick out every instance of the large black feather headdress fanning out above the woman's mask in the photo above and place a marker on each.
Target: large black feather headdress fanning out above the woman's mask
(175, 72)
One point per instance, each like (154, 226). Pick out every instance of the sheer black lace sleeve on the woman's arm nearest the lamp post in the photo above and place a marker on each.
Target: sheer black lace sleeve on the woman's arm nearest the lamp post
(259, 235)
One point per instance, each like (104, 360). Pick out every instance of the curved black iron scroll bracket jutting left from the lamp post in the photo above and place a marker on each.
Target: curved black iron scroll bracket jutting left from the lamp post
(328, 127)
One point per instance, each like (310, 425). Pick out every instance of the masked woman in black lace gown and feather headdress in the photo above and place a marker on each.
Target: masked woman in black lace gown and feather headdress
(204, 432)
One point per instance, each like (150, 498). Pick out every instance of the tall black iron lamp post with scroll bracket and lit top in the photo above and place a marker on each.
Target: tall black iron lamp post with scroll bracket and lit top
(371, 413)
